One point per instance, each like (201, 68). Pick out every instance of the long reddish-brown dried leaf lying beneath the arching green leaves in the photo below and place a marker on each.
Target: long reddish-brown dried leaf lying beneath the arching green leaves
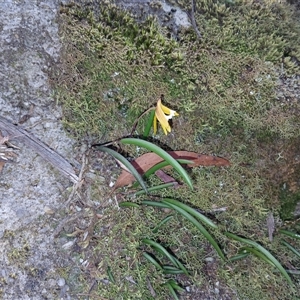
(148, 160)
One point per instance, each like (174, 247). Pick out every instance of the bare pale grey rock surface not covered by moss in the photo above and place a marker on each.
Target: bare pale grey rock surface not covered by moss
(32, 192)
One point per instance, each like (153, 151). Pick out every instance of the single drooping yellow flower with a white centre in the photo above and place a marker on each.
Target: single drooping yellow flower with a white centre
(163, 114)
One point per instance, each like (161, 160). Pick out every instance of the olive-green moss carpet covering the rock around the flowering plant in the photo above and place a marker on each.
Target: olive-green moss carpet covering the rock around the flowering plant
(224, 88)
